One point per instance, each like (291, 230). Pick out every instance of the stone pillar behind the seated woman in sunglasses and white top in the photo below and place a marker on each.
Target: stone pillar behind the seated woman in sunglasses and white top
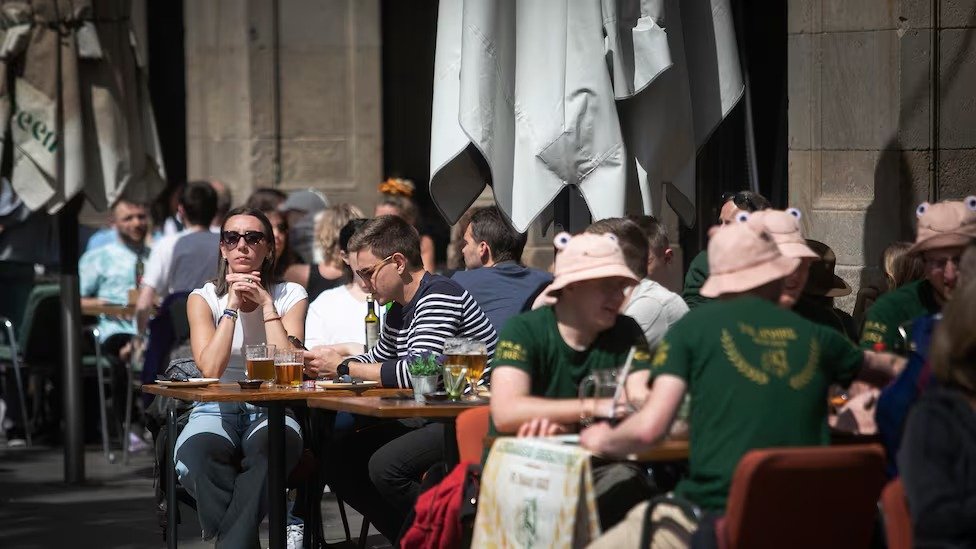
(319, 127)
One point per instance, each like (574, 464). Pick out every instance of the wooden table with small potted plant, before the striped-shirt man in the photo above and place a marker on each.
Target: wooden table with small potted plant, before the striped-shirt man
(377, 406)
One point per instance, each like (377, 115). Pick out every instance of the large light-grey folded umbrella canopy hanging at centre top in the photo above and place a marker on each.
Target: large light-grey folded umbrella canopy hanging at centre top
(533, 96)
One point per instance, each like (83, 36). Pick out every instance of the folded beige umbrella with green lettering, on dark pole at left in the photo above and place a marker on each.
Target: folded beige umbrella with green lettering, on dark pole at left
(73, 94)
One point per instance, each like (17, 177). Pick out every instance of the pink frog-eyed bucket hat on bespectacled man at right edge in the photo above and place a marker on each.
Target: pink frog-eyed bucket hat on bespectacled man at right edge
(945, 224)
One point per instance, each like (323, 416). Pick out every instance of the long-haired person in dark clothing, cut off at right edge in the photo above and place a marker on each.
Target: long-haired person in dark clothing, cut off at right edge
(938, 452)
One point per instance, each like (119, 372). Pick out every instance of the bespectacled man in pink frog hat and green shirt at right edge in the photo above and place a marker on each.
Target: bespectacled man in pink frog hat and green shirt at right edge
(944, 229)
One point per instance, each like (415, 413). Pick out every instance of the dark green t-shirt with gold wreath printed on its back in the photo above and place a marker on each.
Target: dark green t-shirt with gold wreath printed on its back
(757, 376)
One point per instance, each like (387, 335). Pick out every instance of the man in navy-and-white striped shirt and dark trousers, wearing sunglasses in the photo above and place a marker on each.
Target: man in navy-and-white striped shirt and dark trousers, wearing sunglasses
(378, 469)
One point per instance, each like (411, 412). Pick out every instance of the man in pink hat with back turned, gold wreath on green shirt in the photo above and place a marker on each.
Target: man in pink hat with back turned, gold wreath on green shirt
(757, 375)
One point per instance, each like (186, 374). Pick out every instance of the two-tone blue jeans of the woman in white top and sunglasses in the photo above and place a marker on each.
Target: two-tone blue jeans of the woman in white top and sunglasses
(221, 460)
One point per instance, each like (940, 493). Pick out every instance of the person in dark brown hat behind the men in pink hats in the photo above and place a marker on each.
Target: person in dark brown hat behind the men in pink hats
(816, 303)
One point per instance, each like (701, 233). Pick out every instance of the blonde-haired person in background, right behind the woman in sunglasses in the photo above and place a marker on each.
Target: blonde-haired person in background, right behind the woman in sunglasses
(332, 272)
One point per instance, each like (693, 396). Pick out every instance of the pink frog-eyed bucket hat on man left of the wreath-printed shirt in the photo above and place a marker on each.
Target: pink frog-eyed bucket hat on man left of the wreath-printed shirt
(584, 257)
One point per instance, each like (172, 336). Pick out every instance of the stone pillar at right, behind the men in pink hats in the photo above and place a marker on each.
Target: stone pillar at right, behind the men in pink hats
(860, 106)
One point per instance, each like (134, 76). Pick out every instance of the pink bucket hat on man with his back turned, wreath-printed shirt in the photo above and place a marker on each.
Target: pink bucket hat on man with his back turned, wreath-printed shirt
(741, 257)
